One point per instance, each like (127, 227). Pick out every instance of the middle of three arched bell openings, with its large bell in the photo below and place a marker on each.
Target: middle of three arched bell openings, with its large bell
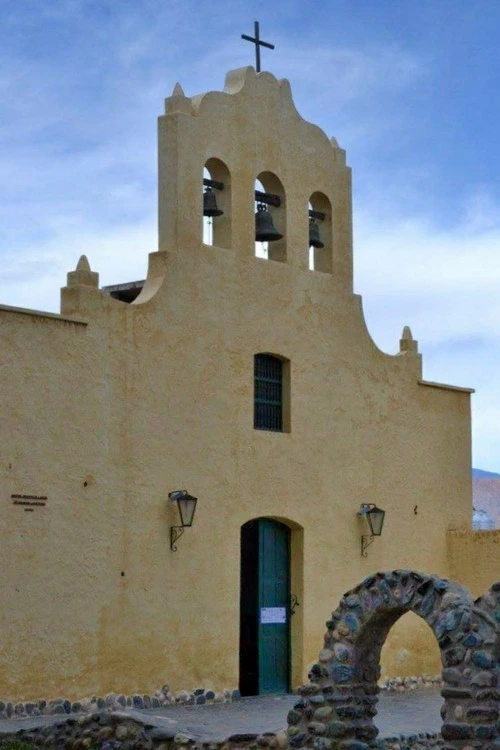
(270, 218)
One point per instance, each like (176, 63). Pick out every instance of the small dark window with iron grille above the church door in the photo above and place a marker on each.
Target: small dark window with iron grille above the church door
(268, 393)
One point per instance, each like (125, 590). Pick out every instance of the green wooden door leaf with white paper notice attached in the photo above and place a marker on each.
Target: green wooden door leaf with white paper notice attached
(274, 613)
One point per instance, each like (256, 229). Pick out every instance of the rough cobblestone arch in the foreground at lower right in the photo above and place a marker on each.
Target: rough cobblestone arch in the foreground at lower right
(338, 705)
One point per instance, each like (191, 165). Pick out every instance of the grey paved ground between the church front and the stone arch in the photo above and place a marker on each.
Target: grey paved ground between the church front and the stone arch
(398, 713)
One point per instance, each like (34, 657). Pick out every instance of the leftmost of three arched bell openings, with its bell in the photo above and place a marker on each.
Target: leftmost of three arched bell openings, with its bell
(216, 204)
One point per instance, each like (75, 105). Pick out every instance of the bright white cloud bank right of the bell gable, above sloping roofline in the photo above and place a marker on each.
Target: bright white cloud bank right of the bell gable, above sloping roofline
(445, 285)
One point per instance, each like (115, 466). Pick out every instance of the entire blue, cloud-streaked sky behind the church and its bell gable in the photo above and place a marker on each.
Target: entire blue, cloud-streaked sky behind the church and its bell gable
(411, 88)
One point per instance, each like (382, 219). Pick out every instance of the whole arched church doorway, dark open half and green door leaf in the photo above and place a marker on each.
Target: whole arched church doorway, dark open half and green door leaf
(265, 607)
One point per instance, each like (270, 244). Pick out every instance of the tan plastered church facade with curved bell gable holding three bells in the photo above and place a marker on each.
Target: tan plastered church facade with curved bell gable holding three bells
(252, 383)
